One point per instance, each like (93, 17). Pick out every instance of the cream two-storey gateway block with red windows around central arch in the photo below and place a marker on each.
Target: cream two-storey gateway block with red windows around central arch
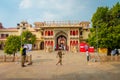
(66, 34)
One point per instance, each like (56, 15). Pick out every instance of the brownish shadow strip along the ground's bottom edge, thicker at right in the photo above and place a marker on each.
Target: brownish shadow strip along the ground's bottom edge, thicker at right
(79, 76)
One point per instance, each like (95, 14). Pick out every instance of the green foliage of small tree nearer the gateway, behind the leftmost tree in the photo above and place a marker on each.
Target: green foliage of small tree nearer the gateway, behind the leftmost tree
(28, 38)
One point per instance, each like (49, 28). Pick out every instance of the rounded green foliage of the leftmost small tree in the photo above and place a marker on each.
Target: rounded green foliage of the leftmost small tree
(12, 45)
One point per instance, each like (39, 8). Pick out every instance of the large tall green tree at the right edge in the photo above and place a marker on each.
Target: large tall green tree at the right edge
(105, 29)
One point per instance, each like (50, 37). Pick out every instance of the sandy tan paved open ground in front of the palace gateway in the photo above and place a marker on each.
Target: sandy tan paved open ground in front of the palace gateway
(74, 67)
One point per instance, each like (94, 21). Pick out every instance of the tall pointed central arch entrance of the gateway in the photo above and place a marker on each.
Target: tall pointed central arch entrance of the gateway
(61, 41)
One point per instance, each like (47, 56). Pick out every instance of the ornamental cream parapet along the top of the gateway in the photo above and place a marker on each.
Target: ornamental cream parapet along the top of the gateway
(46, 24)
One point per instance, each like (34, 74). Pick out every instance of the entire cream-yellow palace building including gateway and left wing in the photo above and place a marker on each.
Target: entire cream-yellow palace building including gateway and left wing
(51, 34)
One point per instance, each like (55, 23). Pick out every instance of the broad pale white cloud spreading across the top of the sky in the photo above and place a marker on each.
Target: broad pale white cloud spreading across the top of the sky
(53, 9)
